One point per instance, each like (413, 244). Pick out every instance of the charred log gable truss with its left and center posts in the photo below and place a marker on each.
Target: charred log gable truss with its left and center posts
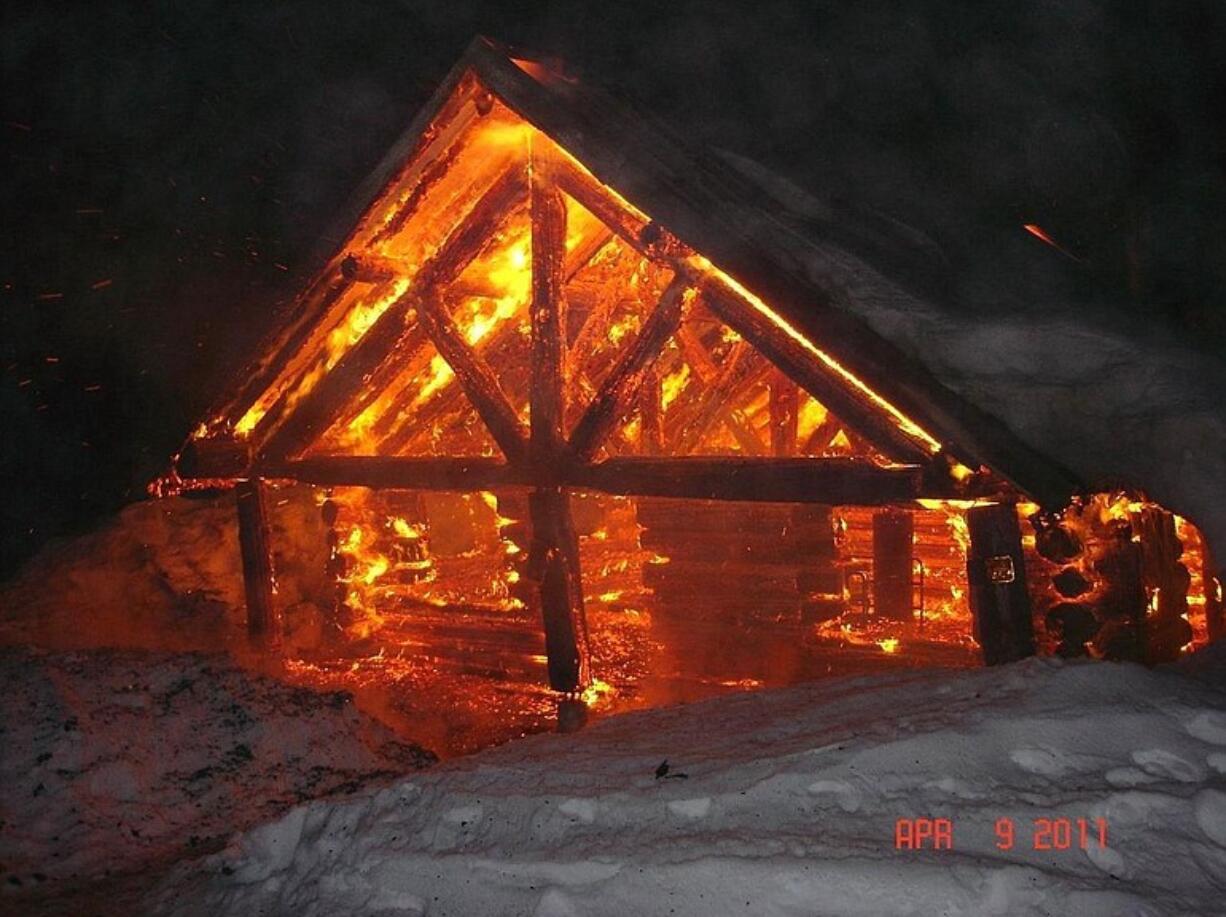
(547, 454)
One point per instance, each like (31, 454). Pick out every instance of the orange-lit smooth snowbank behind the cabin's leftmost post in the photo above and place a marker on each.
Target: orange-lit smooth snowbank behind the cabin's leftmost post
(164, 576)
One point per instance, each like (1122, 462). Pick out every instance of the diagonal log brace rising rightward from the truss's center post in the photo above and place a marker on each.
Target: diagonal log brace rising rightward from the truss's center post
(623, 382)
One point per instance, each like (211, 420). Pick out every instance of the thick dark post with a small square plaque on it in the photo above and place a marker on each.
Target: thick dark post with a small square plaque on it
(996, 573)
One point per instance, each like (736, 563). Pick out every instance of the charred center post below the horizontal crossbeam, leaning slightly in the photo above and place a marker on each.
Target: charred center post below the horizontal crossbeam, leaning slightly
(554, 566)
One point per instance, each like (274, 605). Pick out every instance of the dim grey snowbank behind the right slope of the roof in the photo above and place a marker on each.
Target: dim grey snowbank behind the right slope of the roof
(1121, 401)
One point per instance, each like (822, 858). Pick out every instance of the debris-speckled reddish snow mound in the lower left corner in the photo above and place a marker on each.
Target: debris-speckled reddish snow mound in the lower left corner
(113, 762)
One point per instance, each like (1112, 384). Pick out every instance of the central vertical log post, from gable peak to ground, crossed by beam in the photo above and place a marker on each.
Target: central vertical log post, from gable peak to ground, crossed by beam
(554, 557)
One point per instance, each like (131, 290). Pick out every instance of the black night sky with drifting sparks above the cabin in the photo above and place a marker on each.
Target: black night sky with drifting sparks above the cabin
(169, 167)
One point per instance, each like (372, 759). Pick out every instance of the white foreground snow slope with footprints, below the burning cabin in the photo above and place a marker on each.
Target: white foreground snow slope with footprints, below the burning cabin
(789, 807)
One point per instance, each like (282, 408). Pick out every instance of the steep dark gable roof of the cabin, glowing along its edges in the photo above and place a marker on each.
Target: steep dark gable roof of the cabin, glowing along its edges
(710, 209)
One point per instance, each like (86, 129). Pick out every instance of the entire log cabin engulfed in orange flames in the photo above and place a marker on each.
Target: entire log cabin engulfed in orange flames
(566, 377)
